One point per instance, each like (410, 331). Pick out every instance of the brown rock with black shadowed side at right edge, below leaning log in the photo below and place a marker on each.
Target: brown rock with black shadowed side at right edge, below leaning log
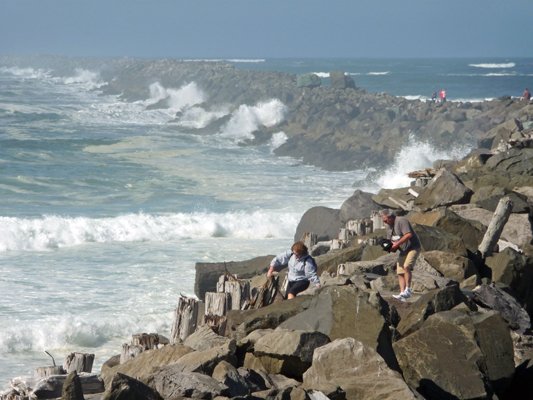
(515, 270)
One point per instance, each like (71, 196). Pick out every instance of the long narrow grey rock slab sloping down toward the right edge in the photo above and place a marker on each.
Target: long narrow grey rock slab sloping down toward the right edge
(511, 311)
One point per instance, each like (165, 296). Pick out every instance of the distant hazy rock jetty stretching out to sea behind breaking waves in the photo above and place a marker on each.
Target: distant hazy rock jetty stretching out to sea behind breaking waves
(341, 127)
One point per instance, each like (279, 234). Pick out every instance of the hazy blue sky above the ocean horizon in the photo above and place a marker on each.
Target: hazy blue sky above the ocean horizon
(267, 28)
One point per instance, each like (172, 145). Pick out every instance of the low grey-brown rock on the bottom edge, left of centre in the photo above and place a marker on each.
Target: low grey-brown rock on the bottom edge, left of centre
(172, 383)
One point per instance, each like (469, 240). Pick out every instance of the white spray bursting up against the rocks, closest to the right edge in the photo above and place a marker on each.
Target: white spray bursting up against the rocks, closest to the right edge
(415, 156)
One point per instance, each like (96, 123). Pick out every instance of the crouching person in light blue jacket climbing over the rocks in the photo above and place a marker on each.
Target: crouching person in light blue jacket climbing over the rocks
(302, 269)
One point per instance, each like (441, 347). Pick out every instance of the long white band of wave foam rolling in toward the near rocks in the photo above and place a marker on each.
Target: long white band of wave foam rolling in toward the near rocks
(52, 231)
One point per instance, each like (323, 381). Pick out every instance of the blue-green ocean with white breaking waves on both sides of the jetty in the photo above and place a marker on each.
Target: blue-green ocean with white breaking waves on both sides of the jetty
(106, 206)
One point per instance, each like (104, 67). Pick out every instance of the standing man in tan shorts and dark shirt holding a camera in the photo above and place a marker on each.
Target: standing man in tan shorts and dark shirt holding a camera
(403, 237)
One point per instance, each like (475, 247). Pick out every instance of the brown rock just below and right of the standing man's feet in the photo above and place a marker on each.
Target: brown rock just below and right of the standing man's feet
(435, 301)
